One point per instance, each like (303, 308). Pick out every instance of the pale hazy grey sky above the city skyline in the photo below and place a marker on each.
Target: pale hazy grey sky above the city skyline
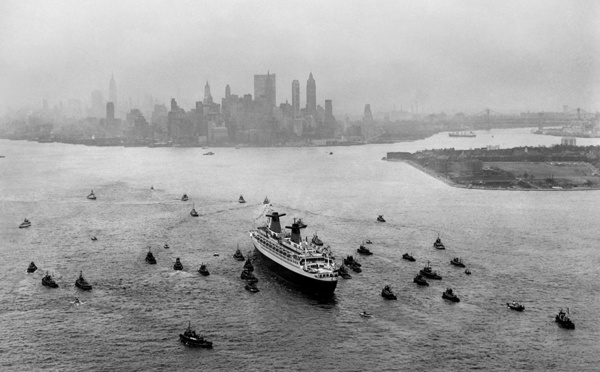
(444, 55)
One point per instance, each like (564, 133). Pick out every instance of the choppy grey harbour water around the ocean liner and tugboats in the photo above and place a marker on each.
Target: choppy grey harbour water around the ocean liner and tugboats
(539, 248)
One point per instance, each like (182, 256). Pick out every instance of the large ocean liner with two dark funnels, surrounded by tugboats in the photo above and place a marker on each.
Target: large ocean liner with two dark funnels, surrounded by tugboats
(309, 267)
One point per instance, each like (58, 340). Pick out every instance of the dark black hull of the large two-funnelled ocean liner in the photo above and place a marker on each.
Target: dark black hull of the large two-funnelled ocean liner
(303, 283)
